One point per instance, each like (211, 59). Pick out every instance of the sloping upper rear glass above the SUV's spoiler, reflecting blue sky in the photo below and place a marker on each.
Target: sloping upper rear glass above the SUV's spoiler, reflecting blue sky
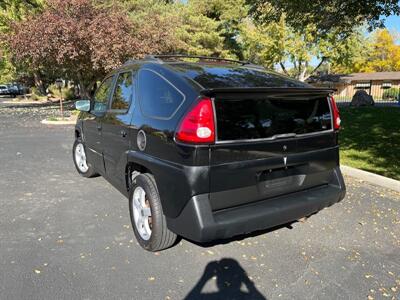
(217, 76)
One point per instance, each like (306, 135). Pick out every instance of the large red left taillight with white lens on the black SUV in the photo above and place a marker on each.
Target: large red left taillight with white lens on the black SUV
(197, 126)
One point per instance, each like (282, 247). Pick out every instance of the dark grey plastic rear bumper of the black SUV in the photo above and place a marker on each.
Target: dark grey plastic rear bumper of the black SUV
(198, 222)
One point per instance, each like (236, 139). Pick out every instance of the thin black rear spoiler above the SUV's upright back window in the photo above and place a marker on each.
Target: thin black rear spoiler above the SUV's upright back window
(272, 90)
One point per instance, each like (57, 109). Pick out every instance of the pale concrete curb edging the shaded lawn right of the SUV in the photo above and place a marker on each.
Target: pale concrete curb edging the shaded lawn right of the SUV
(372, 178)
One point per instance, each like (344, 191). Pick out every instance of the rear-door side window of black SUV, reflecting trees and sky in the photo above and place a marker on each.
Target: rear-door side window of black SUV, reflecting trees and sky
(123, 92)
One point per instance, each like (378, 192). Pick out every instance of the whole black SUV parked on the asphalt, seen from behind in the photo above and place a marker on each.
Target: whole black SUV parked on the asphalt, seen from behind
(210, 149)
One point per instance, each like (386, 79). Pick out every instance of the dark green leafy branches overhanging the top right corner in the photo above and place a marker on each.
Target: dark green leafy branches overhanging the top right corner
(343, 15)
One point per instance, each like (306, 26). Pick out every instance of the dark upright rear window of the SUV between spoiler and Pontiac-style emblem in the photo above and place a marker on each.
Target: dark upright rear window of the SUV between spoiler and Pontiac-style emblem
(264, 118)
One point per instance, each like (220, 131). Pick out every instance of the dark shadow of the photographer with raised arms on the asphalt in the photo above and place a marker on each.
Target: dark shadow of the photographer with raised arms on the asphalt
(231, 280)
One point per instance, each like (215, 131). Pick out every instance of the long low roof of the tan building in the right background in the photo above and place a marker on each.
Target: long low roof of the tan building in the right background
(355, 77)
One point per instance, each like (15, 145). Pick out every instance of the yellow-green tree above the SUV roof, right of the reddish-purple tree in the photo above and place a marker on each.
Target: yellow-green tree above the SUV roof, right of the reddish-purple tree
(187, 26)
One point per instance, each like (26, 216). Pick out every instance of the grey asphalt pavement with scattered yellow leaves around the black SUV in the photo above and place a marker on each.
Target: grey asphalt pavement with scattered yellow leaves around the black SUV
(66, 237)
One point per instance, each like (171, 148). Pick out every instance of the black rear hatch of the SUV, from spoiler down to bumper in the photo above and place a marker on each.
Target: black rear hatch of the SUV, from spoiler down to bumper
(270, 142)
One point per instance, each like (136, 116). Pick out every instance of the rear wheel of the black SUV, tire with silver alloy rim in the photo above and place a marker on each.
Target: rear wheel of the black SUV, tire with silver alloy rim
(151, 231)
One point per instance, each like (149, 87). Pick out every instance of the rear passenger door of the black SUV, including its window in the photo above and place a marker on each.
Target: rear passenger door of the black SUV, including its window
(115, 126)
